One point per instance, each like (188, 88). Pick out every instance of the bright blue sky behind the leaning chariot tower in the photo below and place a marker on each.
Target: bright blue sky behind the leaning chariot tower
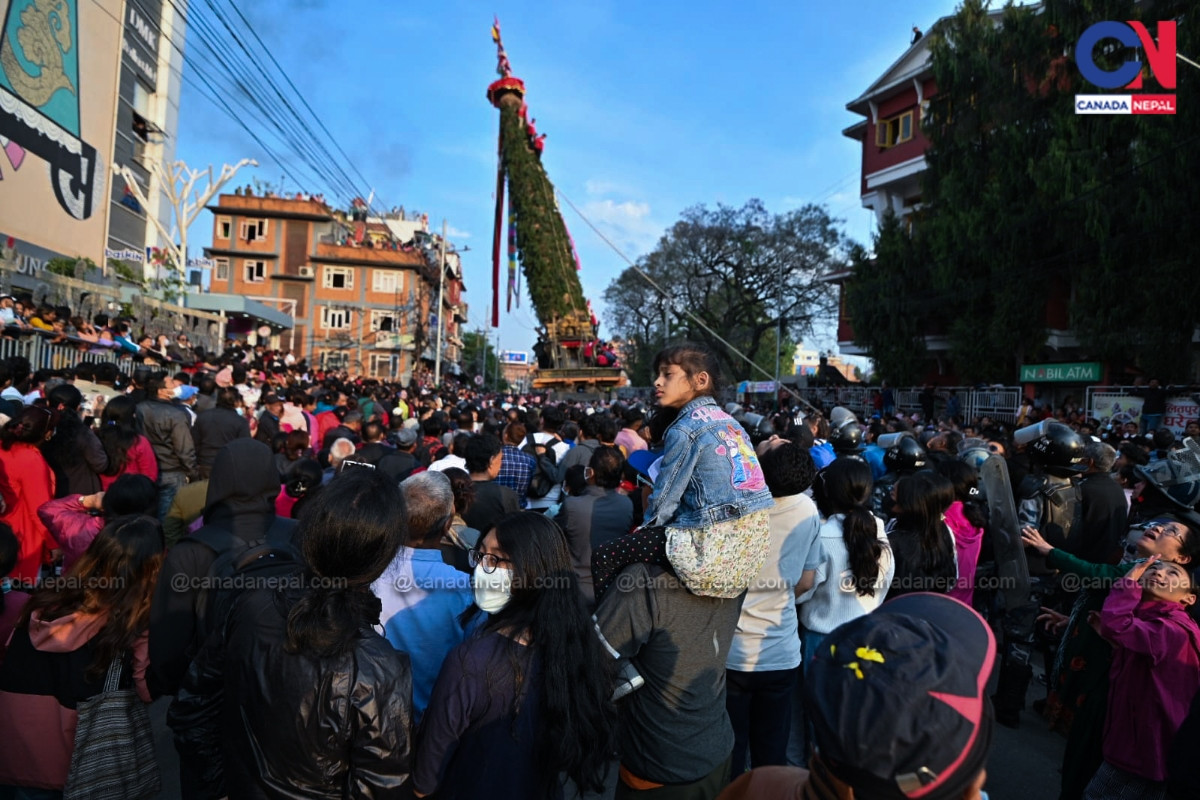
(649, 109)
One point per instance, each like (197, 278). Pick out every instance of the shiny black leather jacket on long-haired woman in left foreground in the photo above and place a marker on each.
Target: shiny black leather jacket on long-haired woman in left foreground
(256, 721)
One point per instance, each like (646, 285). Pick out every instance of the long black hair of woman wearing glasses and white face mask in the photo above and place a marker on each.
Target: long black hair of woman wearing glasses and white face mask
(577, 733)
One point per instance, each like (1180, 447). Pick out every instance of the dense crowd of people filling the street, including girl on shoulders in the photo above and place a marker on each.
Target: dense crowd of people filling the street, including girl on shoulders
(353, 590)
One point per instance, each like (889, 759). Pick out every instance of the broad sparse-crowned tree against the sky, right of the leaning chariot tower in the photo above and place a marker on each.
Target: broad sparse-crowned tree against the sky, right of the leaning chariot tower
(741, 272)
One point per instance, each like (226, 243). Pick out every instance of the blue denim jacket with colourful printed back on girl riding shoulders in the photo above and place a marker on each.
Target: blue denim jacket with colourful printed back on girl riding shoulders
(710, 472)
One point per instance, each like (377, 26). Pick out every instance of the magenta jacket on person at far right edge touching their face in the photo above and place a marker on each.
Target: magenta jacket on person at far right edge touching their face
(1154, 679)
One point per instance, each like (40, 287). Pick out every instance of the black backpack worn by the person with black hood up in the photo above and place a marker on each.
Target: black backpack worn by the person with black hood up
(242, 566)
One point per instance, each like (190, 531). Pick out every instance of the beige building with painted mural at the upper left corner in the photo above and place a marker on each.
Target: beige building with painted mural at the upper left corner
(106, 95)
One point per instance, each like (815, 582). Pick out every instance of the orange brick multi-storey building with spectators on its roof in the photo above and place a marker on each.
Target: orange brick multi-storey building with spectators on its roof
(363, 300)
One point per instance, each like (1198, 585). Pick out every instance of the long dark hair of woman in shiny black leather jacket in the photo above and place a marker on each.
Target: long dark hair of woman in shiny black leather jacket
(351, 531)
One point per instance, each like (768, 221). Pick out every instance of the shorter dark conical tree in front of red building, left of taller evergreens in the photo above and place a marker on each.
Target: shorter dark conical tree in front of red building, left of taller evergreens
(886, 303)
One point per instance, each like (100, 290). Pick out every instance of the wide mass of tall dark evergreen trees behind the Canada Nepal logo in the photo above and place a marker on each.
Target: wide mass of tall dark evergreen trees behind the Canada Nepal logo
(1023, 196)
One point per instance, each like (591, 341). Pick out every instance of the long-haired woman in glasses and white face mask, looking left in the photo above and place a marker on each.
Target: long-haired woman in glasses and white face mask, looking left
(529, 696)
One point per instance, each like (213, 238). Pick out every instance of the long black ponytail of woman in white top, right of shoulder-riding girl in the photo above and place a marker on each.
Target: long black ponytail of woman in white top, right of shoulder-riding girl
(845, 488)
